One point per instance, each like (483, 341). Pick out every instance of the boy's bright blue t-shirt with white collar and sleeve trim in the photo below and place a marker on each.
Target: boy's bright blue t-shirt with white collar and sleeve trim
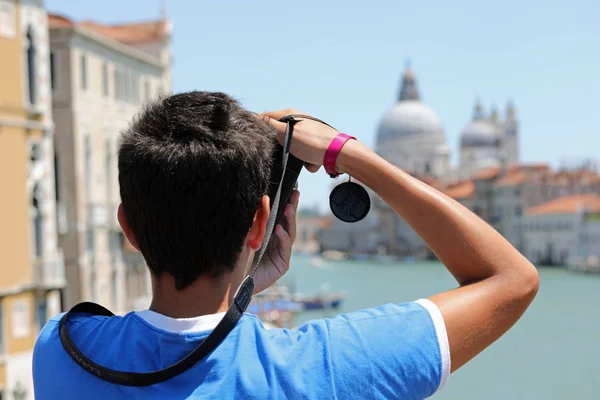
(387, 352)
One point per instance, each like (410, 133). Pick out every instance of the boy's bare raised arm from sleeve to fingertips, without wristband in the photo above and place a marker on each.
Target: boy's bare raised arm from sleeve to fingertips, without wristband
(497, 283)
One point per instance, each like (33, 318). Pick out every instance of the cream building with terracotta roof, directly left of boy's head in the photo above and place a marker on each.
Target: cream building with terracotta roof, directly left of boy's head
(101, 76)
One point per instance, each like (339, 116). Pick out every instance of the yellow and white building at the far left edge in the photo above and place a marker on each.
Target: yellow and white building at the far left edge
(31, 266)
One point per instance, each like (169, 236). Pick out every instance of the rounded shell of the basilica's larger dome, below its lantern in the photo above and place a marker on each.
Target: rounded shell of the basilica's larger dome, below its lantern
(409, 118)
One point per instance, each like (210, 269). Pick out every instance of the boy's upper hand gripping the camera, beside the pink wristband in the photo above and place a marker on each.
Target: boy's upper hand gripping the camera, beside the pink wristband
(311, 138)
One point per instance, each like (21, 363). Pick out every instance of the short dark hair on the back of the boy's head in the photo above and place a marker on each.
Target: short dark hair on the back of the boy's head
(193, 168)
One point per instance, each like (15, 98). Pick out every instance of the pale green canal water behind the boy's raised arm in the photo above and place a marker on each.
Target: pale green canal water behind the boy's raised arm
(552, 353)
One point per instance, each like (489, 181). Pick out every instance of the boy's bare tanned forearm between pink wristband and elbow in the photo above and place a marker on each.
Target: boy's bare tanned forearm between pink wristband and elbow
(468, 247)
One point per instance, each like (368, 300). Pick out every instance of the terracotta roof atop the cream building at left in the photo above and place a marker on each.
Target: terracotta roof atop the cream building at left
(125, 33)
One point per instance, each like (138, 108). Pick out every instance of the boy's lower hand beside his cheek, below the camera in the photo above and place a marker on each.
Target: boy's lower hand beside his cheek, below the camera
(276, 260)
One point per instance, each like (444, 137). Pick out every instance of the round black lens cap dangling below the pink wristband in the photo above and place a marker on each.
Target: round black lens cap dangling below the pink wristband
(349, 202)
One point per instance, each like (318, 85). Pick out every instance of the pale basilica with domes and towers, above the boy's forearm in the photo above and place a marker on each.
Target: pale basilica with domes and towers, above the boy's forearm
(411, 136)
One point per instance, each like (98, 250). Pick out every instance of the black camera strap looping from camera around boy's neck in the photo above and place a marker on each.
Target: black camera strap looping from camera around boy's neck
(239, 305)
